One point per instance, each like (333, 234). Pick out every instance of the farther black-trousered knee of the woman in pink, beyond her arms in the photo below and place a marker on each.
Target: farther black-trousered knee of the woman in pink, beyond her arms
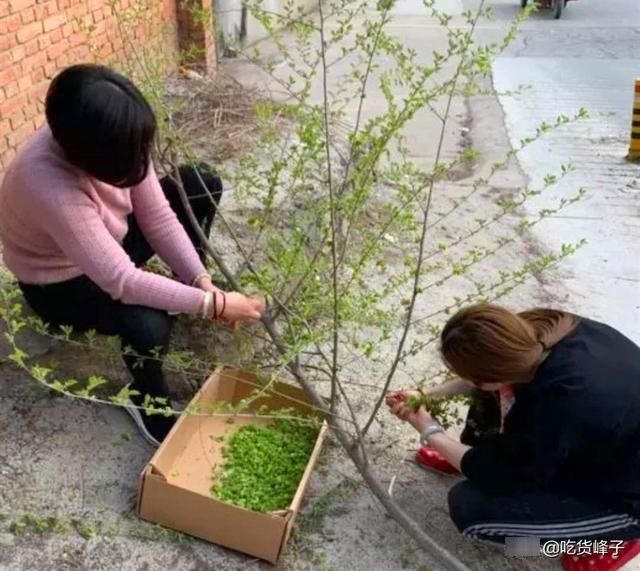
(203, 201)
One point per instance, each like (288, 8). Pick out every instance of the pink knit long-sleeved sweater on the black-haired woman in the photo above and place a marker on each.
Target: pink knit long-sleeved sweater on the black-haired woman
(56, 224)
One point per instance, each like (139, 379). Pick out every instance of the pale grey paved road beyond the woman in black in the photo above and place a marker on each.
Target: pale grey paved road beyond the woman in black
(587, 59)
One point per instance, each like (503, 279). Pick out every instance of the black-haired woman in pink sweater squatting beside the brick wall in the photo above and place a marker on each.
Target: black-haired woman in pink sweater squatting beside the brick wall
(81, 210)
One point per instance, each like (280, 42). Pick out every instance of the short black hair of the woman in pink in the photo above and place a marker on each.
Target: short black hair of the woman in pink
(102, 122)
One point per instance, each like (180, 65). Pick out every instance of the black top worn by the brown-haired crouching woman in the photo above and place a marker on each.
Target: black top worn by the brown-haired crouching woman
(575, 428)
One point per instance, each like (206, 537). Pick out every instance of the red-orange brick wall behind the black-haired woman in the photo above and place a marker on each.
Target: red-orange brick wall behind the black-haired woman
(40, 37)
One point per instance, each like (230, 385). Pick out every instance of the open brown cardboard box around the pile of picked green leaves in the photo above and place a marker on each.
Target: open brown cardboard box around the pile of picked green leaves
(175, 486)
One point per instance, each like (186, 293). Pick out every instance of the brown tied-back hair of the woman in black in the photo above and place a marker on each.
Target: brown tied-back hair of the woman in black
(488, 343)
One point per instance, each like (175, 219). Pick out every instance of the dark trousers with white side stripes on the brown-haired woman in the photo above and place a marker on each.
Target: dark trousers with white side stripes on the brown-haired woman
(538, 514)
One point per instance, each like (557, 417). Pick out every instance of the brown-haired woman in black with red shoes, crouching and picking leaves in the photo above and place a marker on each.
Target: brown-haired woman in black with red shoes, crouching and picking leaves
(564, 463)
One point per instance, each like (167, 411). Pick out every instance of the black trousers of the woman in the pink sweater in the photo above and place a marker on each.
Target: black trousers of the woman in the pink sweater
(80, 303)
